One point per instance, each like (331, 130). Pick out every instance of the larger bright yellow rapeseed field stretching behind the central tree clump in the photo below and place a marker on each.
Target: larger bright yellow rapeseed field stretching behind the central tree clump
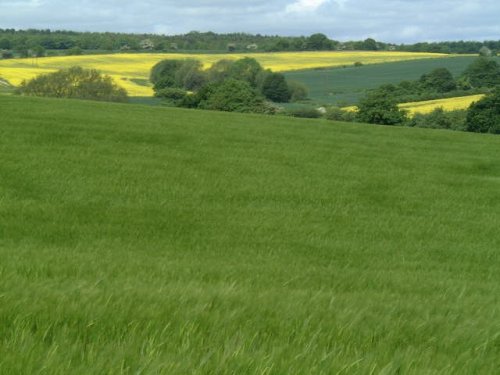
(131, 71)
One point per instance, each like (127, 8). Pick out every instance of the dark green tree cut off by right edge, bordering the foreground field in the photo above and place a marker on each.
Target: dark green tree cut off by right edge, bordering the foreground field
(484, 115)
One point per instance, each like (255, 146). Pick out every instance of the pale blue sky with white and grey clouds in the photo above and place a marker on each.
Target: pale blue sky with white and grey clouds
(385, 20)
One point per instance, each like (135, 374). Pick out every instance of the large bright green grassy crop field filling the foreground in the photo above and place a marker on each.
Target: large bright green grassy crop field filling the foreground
(137, 239)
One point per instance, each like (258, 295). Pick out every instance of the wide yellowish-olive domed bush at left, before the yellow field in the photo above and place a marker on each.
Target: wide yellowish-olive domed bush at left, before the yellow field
(74, 82)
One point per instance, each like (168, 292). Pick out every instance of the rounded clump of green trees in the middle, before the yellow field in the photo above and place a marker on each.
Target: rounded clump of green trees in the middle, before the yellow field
(242, 85)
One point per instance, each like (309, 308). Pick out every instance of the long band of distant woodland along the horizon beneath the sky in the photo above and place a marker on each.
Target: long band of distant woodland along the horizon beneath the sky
(34, 42)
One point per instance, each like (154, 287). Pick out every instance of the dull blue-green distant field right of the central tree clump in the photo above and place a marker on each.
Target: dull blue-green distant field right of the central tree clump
(344, 86)
